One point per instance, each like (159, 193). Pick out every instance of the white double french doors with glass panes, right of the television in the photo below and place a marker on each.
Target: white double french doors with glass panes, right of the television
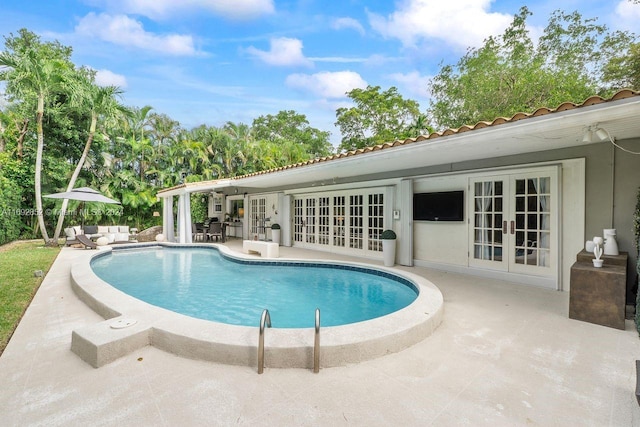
(513, 222)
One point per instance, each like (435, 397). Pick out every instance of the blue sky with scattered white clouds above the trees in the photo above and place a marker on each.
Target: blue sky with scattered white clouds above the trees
(213, 61)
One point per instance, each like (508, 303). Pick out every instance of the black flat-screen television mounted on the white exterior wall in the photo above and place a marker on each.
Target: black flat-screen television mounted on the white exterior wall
(439, 206)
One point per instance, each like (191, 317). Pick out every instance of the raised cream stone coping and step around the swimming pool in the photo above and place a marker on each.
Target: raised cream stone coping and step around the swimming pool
(131, 324)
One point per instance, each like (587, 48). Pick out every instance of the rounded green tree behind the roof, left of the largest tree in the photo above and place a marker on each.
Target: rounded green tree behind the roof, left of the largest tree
(376, 118)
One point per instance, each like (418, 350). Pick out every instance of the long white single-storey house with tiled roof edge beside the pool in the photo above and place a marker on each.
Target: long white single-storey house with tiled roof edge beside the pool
(514, 199)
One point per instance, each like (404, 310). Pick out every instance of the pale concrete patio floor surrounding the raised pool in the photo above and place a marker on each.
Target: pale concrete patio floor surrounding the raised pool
(504, 355)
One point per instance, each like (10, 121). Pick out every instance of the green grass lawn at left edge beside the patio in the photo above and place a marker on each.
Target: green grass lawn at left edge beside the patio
(18, 261)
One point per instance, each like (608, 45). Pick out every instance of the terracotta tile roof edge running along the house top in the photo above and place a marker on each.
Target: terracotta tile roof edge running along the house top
(565, 106)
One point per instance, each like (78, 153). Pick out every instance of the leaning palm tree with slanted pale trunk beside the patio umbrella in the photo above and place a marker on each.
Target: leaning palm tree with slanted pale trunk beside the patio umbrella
(103, 104)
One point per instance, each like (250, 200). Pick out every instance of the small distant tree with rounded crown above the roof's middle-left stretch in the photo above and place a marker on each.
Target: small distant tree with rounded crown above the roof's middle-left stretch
(293, 127)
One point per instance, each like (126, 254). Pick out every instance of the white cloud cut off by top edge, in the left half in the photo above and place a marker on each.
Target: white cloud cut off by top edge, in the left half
(166, 9)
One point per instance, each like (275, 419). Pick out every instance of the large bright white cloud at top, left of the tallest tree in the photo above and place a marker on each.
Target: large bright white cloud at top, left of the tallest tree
(461, 23)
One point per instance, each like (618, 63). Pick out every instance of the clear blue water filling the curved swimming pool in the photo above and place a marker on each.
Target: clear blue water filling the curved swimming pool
(202, 283)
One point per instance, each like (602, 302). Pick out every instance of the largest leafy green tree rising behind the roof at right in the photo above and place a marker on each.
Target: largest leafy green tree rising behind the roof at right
(511, 73)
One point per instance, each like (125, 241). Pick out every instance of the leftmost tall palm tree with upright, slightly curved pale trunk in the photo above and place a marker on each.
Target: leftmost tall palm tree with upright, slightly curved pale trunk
(34, 72)
